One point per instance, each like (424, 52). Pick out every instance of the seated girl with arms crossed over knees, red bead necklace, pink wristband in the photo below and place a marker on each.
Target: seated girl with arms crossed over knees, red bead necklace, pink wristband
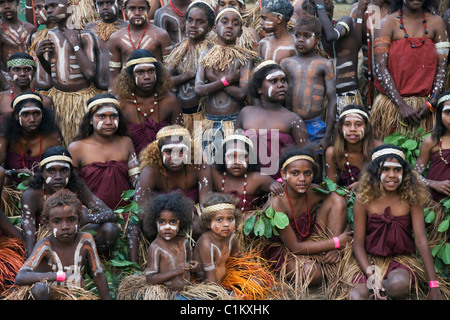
(317, 223)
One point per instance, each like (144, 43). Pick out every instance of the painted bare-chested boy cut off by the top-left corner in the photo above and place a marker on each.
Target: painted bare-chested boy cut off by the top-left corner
(15, 36)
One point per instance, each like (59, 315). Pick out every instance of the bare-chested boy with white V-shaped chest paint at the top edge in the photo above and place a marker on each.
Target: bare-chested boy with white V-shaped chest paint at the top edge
(140, 34)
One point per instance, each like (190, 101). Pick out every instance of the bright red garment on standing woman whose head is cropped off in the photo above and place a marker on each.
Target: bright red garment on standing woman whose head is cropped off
(411, 69)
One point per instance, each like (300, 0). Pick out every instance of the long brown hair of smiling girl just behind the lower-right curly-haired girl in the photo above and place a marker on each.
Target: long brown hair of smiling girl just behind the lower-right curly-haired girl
(340, 142)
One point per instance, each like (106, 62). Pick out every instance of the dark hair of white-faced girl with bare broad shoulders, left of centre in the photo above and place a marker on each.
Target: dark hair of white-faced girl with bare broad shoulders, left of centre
(86, 129)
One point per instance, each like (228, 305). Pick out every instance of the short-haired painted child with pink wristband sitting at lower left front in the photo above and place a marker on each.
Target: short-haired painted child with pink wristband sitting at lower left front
(60, 259)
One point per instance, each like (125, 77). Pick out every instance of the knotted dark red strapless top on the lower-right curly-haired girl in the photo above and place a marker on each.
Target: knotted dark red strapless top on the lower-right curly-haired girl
(388, 235)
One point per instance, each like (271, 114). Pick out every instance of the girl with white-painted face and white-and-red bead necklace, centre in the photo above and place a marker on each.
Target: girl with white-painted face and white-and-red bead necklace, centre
(237, 174)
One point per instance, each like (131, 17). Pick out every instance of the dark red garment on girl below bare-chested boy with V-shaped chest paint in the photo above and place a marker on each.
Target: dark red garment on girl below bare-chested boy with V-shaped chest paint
(145, 133)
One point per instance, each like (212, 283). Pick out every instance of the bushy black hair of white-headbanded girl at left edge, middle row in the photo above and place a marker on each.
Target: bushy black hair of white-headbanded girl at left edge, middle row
(11, 128)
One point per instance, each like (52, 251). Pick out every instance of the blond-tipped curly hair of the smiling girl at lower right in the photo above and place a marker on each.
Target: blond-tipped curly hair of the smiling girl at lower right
(411, 190)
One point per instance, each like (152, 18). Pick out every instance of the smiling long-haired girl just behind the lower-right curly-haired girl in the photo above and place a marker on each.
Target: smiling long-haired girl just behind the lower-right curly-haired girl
(353, 143)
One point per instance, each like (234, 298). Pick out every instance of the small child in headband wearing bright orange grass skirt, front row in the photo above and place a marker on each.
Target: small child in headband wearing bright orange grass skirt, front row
(217, 251)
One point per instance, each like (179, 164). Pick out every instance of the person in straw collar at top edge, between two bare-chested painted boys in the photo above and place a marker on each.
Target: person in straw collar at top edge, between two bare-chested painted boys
(108, 10)
